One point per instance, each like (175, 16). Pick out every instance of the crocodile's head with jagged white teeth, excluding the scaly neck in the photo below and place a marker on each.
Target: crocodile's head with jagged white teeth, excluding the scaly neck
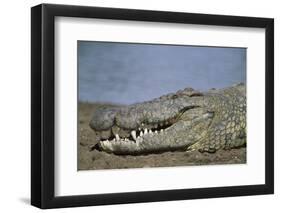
(171, 122)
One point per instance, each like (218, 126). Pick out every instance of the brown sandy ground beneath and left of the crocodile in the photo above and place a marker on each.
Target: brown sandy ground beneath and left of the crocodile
(92, 159)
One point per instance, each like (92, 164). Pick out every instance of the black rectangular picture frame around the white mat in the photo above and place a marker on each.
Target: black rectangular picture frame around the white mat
(43, 102)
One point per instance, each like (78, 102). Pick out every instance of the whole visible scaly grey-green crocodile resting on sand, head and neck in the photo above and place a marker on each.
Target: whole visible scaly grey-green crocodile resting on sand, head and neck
(186, 120)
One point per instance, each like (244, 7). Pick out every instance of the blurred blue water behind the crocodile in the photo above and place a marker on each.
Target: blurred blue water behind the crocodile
(127, 73)
